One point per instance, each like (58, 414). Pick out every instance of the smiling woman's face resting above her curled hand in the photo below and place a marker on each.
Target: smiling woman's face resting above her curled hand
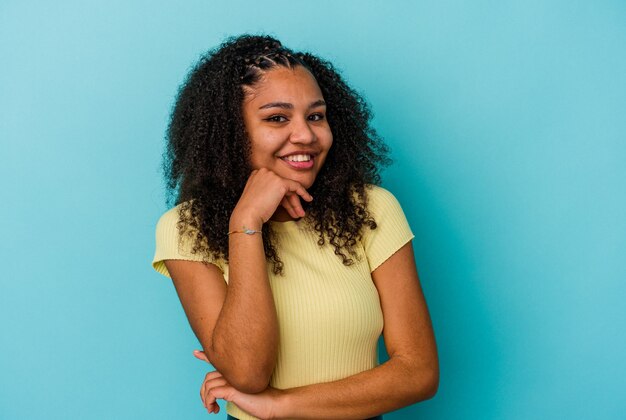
(285, 118)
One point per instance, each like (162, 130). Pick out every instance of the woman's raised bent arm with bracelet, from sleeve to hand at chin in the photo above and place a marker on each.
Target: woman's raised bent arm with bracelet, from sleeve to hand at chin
(237, 325)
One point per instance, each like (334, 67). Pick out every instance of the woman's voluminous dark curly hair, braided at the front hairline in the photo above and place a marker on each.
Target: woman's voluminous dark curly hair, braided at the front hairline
(206, 138)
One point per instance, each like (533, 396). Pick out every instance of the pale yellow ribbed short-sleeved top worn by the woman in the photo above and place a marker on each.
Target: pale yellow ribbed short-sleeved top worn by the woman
(329, 314)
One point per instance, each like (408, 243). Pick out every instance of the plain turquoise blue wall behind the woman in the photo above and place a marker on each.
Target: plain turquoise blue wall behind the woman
(506, 121)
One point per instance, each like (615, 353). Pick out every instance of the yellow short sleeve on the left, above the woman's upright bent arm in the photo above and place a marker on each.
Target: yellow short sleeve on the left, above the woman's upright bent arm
(171, 246)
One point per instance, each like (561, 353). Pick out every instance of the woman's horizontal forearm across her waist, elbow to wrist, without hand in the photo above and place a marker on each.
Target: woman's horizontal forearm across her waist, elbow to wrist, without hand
(397, 383)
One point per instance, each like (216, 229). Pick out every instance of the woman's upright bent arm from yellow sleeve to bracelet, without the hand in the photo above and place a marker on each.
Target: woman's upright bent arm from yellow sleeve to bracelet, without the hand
(236, 325)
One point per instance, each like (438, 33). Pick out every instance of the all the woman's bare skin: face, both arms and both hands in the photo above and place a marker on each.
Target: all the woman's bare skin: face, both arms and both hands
(284, 114)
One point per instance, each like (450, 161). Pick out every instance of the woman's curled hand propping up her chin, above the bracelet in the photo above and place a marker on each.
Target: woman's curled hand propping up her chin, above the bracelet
(262, 195)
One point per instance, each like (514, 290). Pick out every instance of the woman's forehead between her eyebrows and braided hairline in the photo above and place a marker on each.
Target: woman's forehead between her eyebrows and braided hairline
(284, 84)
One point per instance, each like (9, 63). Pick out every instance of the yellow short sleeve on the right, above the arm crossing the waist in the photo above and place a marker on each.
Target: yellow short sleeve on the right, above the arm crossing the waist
(392, 229)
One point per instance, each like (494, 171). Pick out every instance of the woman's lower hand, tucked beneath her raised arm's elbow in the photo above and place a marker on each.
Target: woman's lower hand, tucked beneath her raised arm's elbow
(263, 405)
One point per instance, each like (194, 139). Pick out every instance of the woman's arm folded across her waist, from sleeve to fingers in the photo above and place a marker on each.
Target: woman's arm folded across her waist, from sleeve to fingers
(410, 375)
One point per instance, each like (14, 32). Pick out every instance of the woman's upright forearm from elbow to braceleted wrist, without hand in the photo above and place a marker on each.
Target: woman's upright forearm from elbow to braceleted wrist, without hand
(245, 338)
